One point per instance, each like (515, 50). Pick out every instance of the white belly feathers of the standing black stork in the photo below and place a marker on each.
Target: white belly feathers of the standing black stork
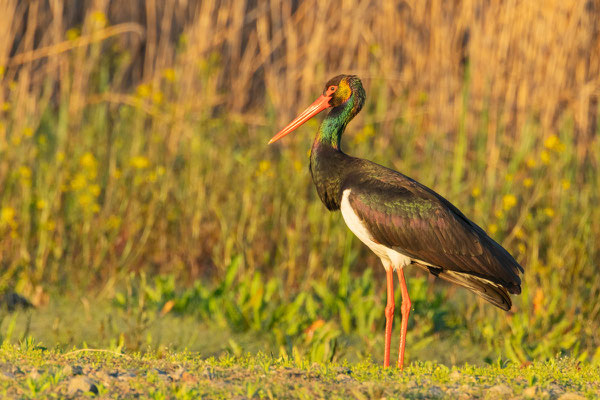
(389, 256)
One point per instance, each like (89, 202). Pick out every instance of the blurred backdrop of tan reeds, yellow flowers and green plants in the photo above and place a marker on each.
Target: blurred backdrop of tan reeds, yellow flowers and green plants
(133, 144)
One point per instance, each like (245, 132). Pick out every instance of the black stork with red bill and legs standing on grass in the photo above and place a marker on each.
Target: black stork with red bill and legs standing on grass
(400, 220)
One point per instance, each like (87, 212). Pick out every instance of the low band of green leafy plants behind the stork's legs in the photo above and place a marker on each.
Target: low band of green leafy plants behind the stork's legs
(340, 320)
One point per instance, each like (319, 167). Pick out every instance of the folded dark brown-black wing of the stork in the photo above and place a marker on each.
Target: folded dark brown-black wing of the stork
(411, 218)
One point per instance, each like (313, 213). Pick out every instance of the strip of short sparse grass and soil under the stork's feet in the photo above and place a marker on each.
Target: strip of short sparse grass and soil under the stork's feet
(29, 370)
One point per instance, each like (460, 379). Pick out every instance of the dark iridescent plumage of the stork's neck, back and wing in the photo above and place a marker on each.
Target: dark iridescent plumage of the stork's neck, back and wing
(407, 216)
